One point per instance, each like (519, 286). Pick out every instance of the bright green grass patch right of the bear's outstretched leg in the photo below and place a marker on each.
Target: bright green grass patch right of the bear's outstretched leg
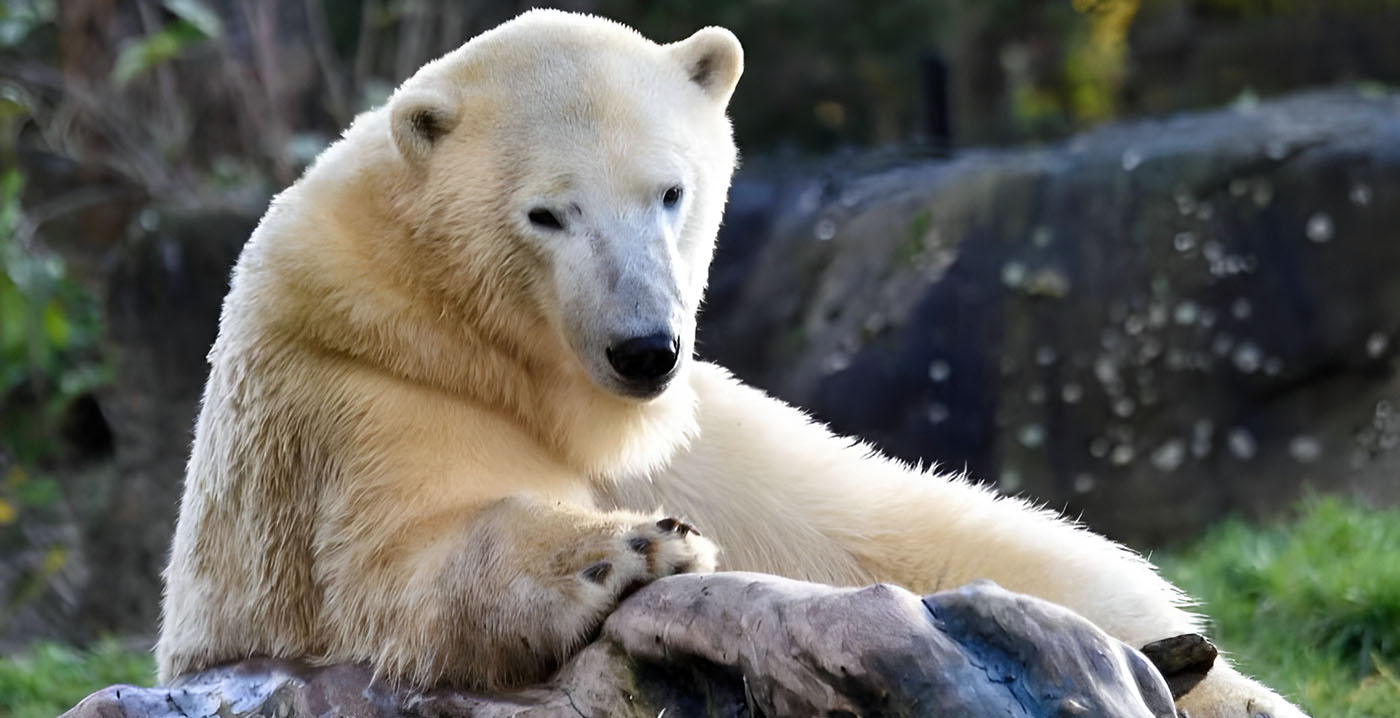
(1312, 608)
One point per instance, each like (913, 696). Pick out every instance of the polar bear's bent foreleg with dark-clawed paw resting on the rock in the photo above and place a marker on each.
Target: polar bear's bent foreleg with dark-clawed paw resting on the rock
(502, 598)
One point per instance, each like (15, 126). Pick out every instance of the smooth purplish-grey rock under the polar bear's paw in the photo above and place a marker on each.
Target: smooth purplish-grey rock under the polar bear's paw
(743, 646)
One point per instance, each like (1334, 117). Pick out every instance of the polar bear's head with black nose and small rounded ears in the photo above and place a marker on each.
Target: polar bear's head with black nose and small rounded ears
(568, 163)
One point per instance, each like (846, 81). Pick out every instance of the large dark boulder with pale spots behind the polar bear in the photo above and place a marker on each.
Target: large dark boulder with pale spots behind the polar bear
(1153, 324)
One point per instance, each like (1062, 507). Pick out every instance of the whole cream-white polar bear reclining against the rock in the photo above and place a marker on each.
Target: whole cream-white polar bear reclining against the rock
(454, 415)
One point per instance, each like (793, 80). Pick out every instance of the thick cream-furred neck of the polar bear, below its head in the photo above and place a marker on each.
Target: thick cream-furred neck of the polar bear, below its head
(489, 348)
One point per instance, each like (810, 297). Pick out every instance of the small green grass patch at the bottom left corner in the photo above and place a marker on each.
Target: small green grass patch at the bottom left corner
(51, 680)
